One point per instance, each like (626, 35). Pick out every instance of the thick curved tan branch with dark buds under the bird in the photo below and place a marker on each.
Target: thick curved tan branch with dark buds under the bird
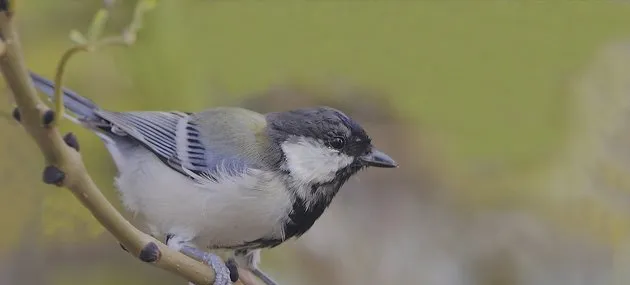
(66, 169)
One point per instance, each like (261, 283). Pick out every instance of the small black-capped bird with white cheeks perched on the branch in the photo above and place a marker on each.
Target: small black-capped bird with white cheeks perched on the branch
(225, 177)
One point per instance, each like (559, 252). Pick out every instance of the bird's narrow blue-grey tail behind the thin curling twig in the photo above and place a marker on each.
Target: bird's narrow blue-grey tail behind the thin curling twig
(75, 103)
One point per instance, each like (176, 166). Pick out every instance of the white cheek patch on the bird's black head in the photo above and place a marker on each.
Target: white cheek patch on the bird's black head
(310, 161)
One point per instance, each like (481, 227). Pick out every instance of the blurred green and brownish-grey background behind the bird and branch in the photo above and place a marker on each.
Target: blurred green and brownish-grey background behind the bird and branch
(510, 120)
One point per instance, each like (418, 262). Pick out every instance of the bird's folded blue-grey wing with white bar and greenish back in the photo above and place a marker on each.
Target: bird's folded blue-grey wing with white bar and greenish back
(177, 139)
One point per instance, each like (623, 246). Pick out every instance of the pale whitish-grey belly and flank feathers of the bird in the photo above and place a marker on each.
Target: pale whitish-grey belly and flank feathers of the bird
(227, 213)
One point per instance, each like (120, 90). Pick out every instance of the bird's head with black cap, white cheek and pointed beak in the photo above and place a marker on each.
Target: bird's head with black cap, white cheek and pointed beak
(322, 145)
